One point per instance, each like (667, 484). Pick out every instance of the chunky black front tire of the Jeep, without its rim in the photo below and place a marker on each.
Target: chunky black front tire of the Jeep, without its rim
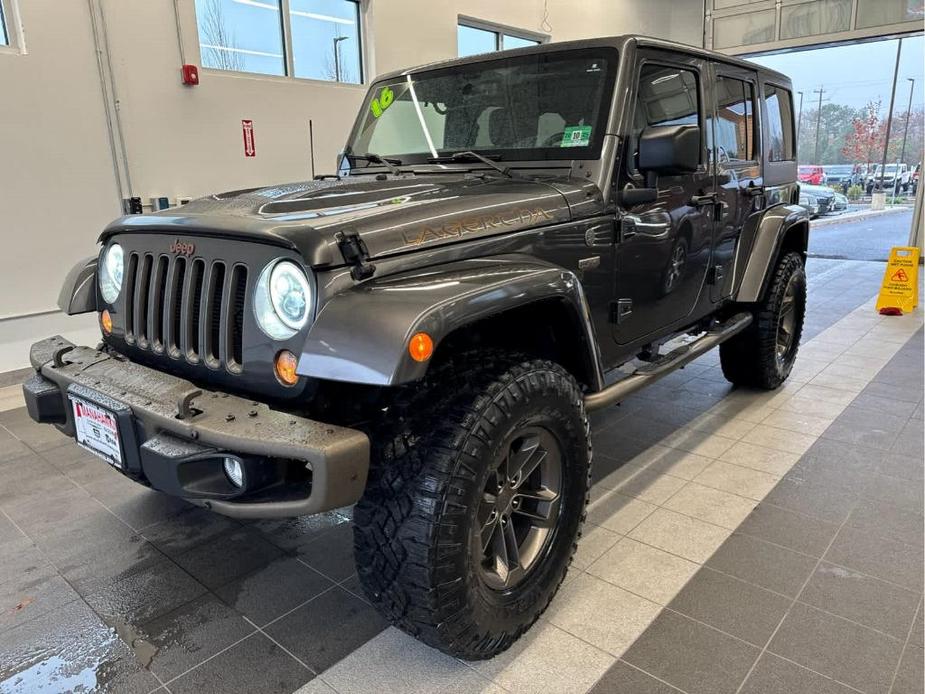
(412, 528)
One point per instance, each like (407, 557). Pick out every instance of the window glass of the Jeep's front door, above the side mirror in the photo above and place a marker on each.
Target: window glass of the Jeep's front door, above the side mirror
(666, 96)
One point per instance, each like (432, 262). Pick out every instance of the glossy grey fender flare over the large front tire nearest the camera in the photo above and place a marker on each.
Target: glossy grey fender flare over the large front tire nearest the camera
(361, 335)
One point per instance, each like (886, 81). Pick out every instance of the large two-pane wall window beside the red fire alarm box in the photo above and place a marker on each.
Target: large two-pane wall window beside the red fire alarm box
(313, 39)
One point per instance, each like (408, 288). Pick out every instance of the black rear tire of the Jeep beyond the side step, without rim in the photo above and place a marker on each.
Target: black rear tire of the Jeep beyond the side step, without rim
(751, 358)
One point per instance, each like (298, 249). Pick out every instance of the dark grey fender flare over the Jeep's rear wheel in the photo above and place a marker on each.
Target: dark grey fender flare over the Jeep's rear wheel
(772, 226)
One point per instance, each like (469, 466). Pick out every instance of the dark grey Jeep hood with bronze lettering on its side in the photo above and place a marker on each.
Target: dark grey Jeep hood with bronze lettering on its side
(392, 215)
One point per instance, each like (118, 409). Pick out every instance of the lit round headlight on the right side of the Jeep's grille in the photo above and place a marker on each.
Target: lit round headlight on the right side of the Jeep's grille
(282, 299)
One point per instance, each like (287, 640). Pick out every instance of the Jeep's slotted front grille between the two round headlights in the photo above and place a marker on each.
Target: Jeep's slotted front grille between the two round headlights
(189, 309)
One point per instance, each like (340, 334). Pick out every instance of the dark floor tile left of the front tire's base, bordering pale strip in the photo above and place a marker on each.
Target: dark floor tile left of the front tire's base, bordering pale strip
(327, 629)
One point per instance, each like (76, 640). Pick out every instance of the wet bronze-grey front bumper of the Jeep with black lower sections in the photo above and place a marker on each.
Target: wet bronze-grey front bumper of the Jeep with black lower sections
(174, 436)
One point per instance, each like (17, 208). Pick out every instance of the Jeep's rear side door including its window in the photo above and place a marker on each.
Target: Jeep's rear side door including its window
(733, 151)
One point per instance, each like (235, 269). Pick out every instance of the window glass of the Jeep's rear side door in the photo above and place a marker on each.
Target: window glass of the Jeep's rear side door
(734, 126)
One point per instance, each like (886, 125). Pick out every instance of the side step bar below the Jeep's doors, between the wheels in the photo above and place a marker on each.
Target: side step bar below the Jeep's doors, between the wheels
(650, 373)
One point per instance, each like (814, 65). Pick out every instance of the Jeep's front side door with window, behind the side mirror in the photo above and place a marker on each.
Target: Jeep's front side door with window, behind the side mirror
(664, 247)
